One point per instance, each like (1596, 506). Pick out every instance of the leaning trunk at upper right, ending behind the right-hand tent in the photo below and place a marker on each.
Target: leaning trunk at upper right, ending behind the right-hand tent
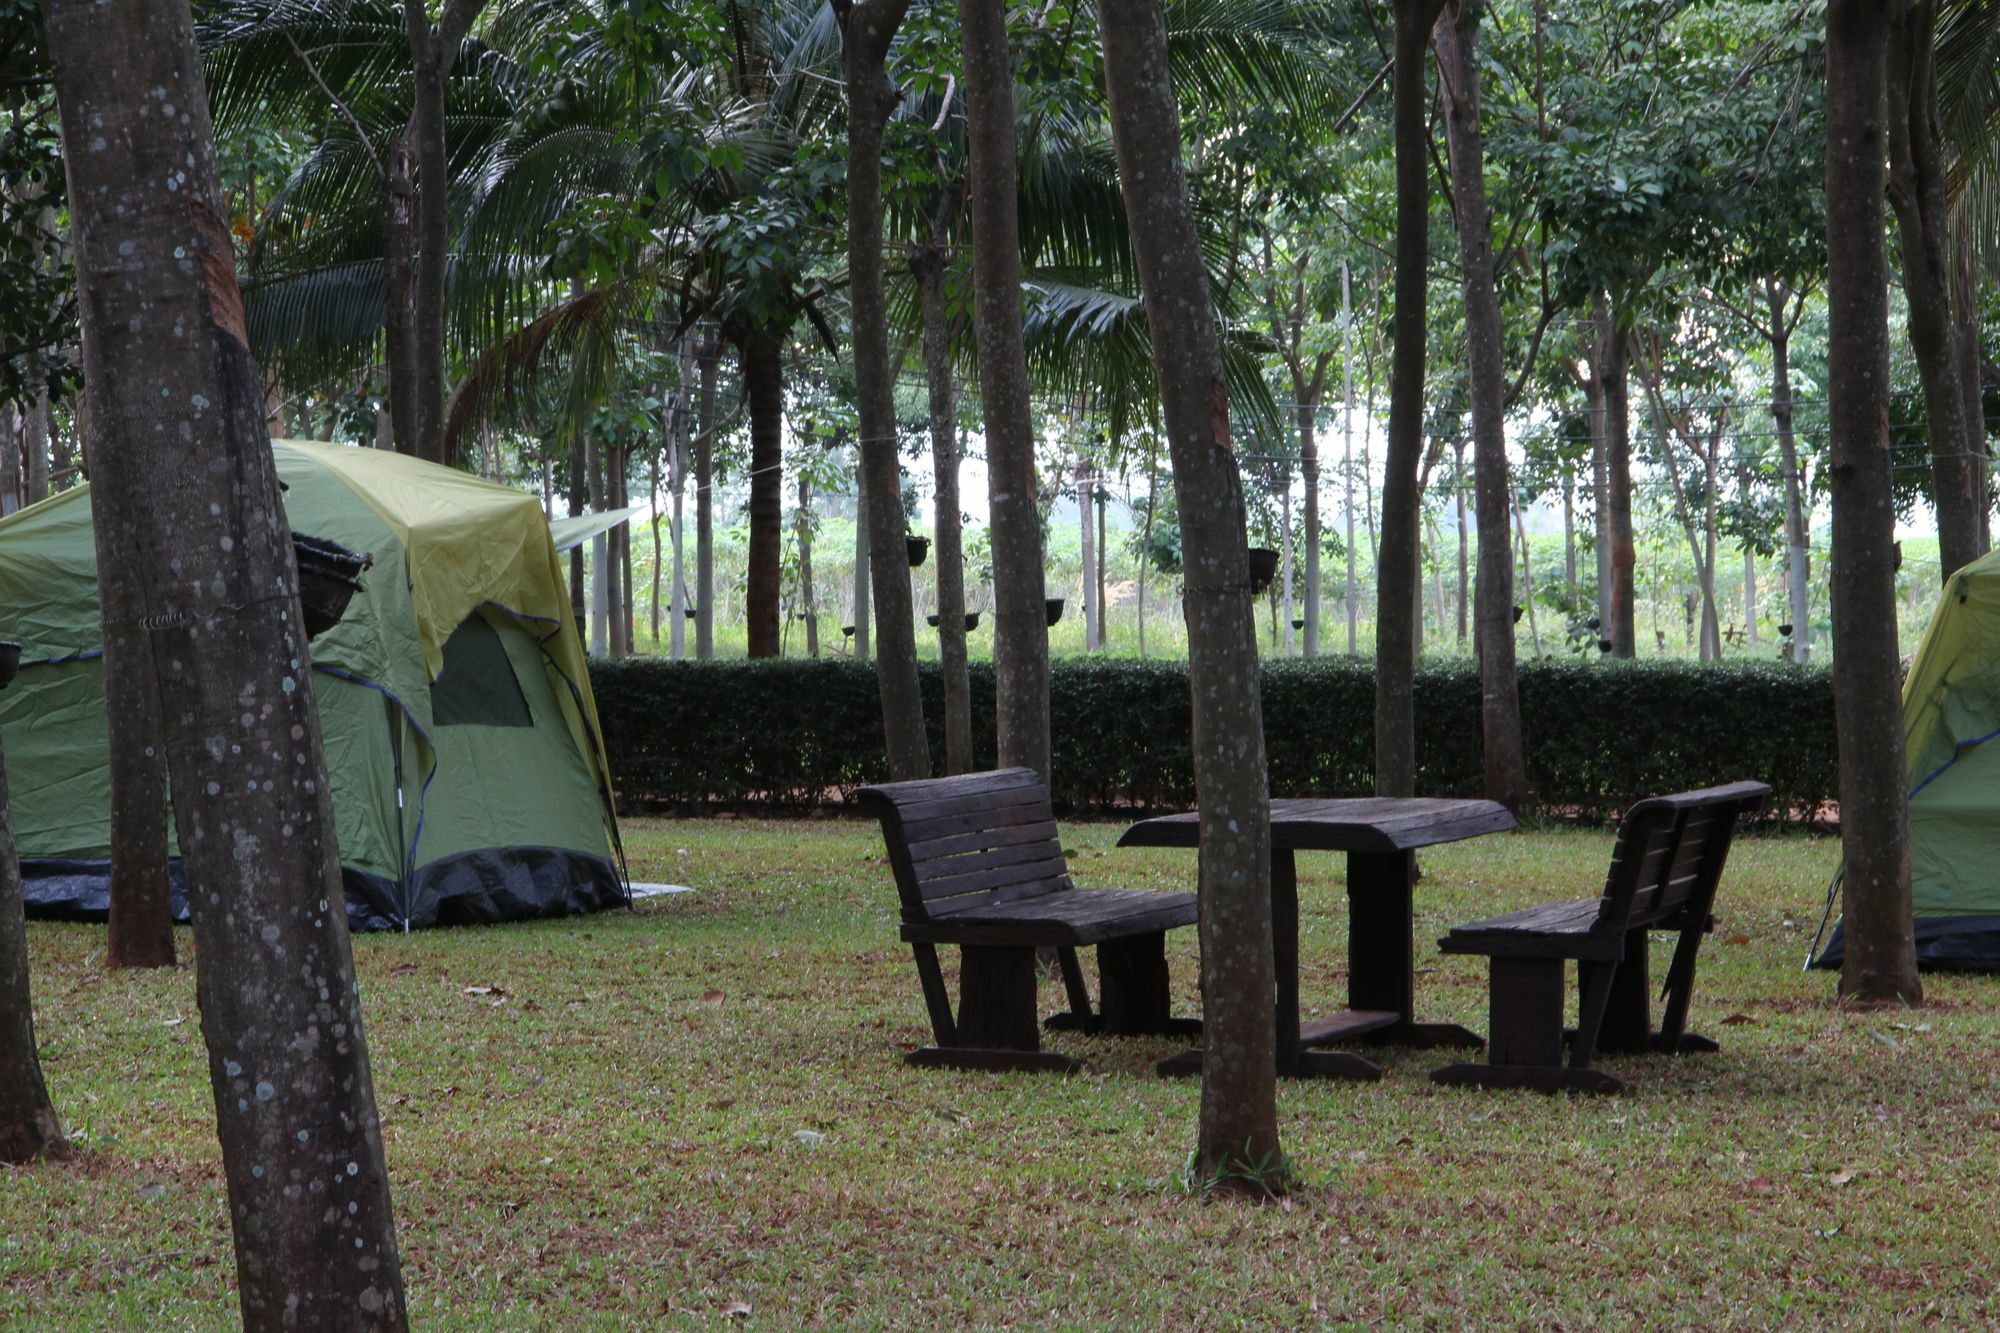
(1923, 227)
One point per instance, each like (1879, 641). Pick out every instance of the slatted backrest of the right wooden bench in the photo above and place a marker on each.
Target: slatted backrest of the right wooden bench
(1671, 854)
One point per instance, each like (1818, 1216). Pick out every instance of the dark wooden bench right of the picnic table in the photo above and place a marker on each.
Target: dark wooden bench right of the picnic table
(1665, 870)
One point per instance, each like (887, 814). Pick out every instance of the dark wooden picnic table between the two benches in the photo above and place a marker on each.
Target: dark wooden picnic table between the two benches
(1381, 838)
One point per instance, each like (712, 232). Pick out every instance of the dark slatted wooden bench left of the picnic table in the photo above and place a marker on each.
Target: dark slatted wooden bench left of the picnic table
(979, 866)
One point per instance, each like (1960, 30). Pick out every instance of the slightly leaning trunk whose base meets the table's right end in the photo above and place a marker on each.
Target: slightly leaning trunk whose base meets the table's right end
(1505, 752)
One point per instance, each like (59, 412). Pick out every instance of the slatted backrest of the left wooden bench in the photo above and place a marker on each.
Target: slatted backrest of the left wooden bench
(967, 842)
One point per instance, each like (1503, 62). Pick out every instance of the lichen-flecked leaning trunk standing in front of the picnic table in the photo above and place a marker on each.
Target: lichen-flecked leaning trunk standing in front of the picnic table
(1239, 1128)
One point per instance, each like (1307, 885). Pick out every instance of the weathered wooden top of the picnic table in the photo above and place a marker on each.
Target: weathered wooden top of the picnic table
(1367, 824)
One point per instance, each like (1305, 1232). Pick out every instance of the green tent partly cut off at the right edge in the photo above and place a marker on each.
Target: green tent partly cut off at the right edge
(1951, 708)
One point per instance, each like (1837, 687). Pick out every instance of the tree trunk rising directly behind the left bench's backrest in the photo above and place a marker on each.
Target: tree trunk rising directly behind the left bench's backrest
(869, 31)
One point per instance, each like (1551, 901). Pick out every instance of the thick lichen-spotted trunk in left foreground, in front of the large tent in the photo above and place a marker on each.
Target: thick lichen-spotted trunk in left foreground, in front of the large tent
(181, 425)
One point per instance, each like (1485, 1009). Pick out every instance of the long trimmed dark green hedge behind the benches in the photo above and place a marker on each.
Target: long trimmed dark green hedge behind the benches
(799, 734)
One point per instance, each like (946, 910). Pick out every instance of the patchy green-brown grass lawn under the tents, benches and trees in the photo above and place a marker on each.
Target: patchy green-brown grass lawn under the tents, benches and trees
(657, 1116)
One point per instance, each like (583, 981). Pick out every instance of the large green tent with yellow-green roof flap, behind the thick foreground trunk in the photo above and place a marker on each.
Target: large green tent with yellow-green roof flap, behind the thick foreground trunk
(461, 736)
